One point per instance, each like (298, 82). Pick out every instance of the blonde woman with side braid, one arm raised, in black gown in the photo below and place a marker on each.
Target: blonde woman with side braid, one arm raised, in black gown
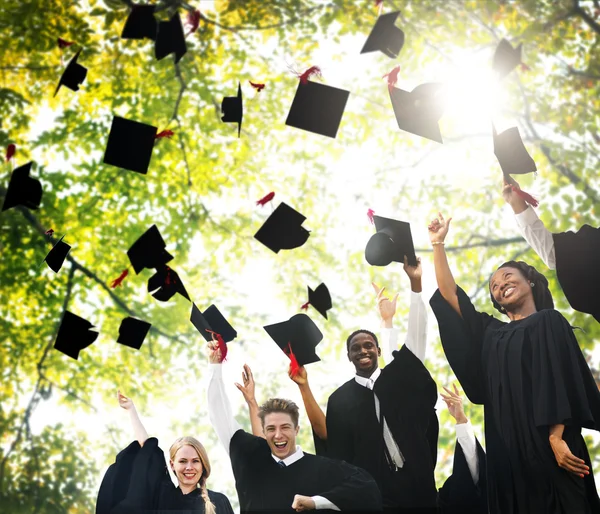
(138, 482)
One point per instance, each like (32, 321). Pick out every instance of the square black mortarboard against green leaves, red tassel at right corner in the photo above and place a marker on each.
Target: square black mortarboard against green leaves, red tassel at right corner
(130, 145)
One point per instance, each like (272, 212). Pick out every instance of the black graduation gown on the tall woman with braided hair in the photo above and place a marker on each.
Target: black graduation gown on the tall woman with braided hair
(529, 374)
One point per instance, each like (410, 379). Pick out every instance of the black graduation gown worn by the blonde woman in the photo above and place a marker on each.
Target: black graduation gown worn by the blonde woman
(138, 483)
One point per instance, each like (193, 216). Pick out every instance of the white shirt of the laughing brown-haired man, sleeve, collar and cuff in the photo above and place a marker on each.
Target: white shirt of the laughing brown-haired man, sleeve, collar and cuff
(225, 425)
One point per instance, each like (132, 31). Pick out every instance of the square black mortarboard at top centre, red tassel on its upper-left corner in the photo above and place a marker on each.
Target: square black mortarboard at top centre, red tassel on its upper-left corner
(317, 108)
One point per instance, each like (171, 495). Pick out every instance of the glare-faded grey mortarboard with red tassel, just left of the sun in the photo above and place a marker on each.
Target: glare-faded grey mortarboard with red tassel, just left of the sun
(419, 111)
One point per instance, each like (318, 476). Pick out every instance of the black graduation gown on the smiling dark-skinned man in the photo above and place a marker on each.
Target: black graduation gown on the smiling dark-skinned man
(407, 396)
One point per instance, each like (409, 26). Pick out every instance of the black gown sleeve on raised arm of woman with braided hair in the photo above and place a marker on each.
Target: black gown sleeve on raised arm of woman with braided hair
(462, 339)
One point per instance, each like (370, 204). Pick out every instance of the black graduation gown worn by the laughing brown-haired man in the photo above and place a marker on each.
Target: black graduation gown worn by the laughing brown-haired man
(264, 487)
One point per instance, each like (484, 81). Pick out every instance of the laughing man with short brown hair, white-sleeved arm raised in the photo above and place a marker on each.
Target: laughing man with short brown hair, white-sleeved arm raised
(273, 474)
